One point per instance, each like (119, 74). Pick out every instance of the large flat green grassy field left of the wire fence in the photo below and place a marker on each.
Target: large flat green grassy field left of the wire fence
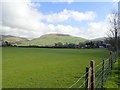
(46, 68)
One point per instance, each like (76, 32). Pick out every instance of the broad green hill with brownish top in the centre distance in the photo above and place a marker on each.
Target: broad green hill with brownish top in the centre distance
(51, 39)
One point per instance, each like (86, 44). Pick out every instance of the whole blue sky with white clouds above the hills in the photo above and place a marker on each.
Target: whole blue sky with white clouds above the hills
(32, 19)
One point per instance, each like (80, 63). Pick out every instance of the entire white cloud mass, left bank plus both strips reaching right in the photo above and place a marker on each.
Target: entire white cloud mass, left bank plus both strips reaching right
(21, 19)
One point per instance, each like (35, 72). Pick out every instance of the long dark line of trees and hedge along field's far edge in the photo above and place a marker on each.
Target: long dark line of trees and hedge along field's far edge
(86, 44)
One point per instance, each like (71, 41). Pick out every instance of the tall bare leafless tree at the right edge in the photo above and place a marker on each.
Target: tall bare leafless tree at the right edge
(113, 30)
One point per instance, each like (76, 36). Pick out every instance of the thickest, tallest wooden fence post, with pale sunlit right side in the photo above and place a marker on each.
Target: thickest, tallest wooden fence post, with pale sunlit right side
(92, 83)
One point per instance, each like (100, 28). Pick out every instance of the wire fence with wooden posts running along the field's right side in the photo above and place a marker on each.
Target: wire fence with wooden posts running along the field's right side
(96, 76)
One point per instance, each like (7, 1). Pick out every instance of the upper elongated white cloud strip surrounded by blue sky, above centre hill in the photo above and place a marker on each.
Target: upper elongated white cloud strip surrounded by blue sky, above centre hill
(69, 14)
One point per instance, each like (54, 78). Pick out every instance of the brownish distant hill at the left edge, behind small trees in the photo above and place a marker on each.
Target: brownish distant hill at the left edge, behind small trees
(13, 39)
